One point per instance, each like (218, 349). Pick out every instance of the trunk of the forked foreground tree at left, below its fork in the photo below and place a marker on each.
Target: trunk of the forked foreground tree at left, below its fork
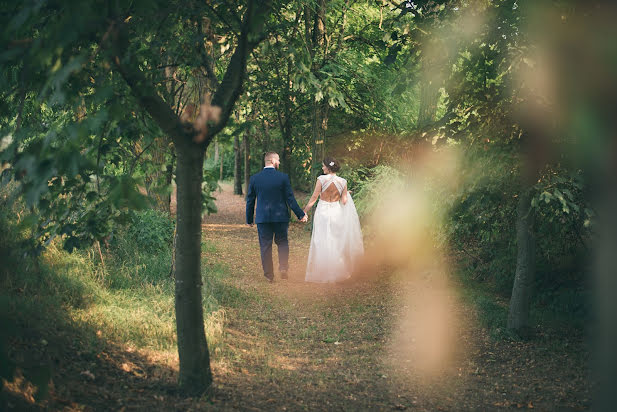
(195, 374)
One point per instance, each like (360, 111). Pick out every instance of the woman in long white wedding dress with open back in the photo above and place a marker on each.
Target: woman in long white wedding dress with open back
(336, 242)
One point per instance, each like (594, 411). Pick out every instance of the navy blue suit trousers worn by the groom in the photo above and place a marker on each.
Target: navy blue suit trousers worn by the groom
(276, 231)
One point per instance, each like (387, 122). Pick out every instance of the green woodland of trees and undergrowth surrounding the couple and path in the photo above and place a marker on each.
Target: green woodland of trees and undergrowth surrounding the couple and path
(497, 113)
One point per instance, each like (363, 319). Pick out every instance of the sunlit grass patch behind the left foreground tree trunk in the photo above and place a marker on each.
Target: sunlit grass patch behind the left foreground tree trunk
(129, 301)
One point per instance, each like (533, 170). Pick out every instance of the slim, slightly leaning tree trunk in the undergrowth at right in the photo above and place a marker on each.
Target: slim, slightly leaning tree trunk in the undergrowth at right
(518, 316)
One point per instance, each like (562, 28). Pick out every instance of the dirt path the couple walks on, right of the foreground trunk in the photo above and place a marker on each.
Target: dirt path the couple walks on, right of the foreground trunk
(292, 345)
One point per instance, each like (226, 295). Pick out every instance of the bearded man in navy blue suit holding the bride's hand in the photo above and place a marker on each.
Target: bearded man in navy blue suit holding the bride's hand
(273, 193)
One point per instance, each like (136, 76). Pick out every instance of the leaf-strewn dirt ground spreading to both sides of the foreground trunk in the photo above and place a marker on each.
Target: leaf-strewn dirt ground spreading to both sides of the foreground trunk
(373, 343)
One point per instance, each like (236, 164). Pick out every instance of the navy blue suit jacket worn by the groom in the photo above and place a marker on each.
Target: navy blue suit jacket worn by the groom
(273, 193)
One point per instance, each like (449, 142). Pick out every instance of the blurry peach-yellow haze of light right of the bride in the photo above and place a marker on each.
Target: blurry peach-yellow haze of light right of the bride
(424, 339)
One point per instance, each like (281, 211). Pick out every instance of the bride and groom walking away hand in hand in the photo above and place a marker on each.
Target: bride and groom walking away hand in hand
(336, 242)
